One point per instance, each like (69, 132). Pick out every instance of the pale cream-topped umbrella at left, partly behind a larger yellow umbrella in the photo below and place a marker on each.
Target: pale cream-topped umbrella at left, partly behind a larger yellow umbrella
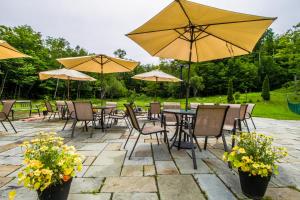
(65, 74)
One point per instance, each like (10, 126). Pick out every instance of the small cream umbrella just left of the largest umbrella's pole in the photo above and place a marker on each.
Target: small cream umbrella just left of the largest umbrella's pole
(156, 76)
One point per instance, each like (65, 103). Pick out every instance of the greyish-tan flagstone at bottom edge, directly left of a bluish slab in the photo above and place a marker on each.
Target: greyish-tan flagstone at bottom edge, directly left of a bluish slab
(178, 187)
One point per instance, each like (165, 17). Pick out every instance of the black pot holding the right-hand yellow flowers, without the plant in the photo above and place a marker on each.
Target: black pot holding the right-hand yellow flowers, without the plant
(253, 187)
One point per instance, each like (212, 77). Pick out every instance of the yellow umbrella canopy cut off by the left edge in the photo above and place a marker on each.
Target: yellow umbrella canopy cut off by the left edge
(7, 51)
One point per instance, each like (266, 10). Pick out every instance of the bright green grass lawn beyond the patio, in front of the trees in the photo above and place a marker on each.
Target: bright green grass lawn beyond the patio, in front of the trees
(276, 108)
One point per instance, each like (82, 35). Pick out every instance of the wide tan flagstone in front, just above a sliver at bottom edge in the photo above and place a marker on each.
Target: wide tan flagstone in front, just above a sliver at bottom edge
(129, 184)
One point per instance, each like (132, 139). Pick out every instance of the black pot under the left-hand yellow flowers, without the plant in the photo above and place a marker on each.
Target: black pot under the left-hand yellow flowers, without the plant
(56, 192)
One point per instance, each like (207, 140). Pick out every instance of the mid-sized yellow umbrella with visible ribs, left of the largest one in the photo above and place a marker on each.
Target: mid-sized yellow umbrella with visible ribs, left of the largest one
(99, 64)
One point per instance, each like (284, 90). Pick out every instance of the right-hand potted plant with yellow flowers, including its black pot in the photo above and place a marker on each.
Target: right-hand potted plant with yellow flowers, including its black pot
(255, 157)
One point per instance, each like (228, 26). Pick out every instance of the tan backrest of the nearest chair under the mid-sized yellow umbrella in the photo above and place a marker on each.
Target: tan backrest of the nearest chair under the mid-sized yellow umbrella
(83, 111)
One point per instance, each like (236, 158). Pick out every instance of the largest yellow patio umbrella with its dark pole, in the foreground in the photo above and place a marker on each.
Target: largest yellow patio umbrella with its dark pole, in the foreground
(194, 32)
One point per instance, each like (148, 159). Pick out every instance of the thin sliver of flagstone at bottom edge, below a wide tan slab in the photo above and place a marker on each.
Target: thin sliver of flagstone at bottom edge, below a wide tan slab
(135, 196)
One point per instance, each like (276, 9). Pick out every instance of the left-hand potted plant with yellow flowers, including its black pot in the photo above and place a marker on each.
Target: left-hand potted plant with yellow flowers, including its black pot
(49, 166)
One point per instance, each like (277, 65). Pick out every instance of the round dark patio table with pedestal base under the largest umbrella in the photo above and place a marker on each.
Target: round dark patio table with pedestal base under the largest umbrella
(181, 143)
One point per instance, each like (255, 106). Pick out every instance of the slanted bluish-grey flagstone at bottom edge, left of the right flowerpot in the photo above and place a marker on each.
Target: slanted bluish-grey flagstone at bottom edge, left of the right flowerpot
(213, 187)
